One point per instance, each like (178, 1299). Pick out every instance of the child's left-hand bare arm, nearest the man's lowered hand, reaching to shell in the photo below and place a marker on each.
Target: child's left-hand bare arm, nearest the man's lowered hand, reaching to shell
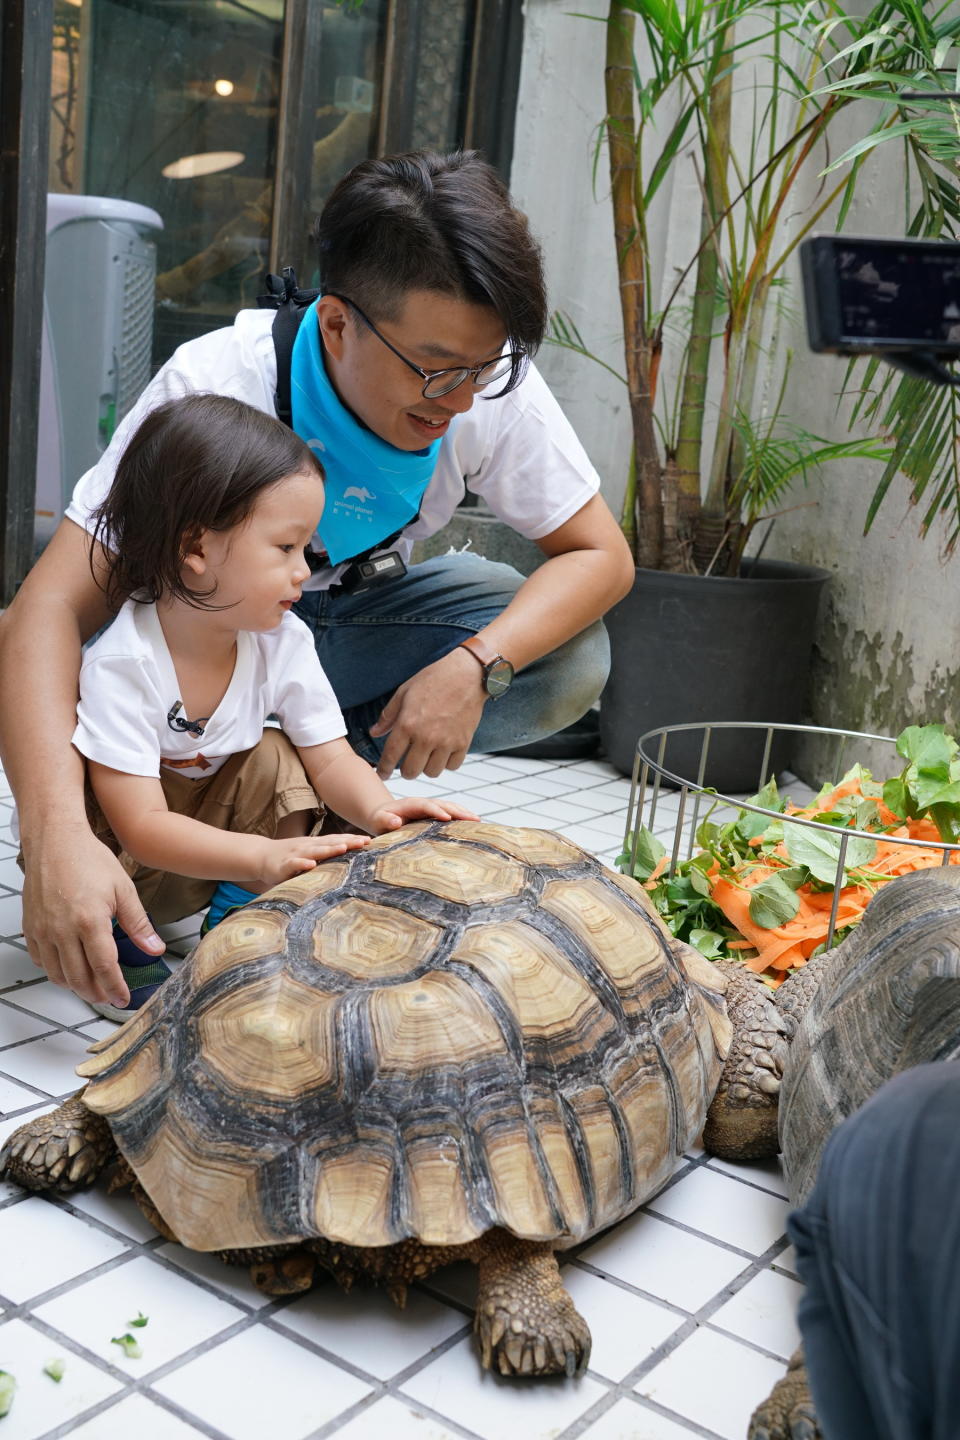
(137, 813)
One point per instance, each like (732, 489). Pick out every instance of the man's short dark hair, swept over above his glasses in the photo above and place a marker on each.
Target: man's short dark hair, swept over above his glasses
(435, 222)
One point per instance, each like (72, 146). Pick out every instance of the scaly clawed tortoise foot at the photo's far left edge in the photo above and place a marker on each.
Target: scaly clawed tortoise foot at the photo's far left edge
(63, 1151)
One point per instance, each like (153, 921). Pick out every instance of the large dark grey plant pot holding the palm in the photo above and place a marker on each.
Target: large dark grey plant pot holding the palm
(703, 649)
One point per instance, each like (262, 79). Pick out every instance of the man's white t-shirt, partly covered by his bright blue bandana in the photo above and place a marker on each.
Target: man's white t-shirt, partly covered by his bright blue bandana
(519, 453)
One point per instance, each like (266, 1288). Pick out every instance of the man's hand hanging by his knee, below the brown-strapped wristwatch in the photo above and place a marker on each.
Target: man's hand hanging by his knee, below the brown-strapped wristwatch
(433, 718)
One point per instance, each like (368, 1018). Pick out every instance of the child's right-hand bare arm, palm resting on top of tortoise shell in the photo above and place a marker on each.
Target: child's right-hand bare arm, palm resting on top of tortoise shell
(353, 790)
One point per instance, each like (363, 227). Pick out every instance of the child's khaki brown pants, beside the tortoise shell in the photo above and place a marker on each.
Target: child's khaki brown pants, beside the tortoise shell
(248, 796)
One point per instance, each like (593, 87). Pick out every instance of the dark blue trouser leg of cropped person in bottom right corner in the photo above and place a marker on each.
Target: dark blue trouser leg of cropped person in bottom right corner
(879, 1251)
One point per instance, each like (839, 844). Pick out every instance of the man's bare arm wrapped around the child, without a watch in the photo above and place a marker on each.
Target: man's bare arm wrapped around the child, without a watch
(74, 886)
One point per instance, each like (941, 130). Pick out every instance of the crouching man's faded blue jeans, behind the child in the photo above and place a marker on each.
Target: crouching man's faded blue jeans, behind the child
(371, 643)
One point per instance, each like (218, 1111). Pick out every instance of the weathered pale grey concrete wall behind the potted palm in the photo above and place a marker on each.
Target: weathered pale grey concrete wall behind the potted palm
(889, 644)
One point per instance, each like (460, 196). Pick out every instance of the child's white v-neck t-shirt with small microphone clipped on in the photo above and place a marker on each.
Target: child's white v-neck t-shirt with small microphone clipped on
(129, 688)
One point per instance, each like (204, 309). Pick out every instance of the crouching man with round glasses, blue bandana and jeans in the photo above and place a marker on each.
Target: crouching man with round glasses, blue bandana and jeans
(411, 379)
